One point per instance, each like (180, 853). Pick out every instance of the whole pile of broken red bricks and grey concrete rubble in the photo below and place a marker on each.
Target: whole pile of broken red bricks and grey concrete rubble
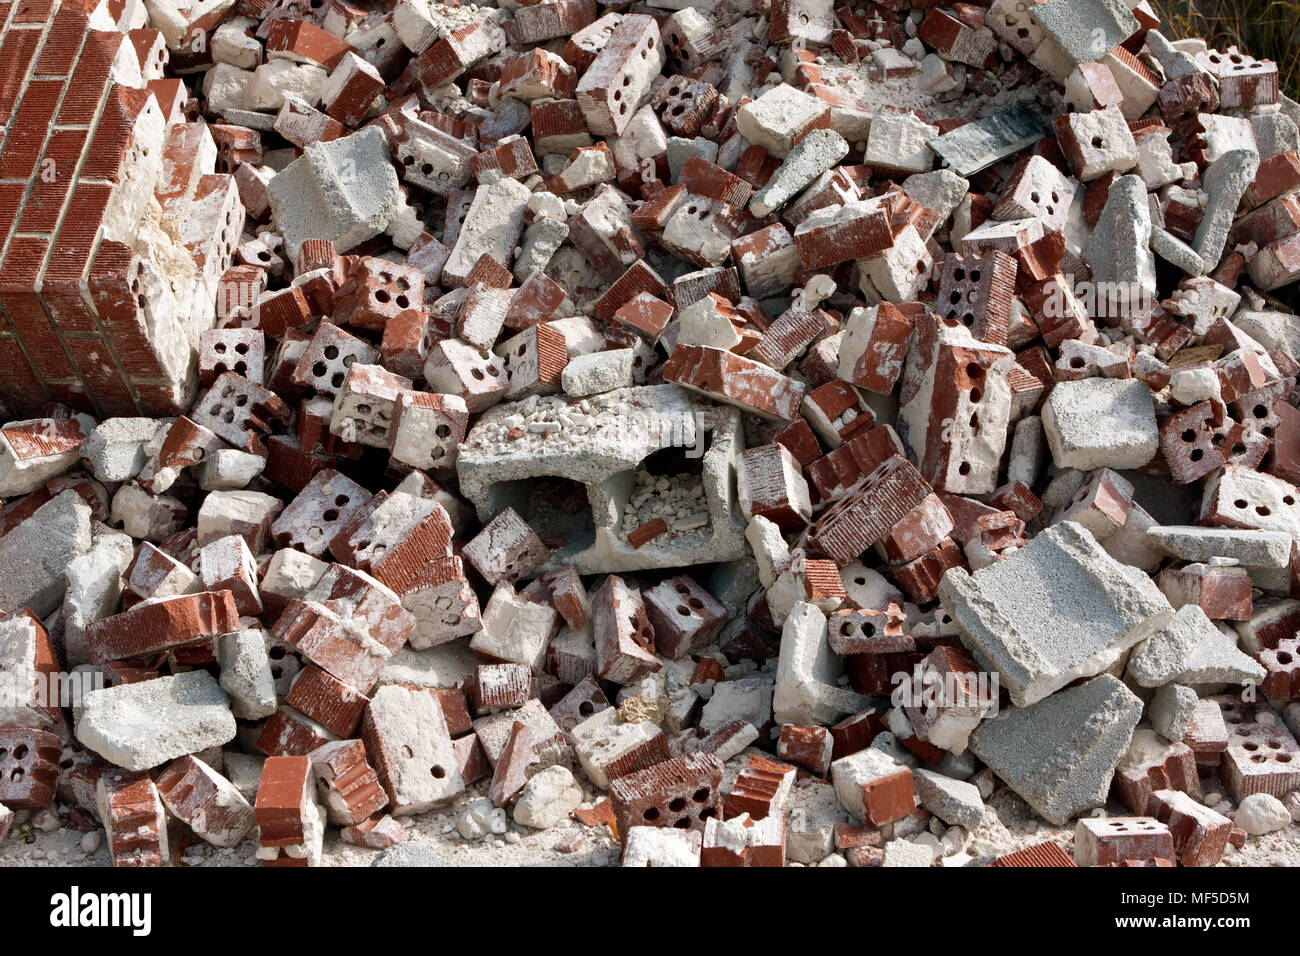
(658, 416)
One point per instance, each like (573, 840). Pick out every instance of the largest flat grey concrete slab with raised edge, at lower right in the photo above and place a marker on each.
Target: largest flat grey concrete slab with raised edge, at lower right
(1054, 612)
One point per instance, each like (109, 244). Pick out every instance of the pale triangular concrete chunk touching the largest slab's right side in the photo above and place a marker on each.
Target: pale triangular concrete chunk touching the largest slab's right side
(1189, 650)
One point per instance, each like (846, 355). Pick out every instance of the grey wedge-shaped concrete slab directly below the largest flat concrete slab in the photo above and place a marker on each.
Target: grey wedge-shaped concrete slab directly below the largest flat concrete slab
(1060, 754)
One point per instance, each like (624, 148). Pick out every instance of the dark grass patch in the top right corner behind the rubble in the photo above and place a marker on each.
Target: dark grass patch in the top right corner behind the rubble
(1266, 29)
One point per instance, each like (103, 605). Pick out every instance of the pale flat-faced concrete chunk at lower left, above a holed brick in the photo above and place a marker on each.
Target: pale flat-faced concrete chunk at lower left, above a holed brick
(144, 725)
